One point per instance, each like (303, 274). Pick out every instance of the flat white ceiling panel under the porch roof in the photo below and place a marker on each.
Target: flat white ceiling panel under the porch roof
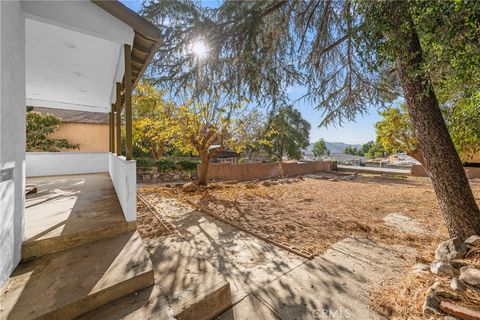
(68, 69)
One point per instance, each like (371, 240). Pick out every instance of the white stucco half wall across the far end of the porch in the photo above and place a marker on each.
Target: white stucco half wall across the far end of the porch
(58, 163)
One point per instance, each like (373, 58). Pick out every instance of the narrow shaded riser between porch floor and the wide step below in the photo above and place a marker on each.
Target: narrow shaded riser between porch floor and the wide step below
(38, 247)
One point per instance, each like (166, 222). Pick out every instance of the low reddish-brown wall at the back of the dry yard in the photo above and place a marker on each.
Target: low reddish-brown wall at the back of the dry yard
(254, 171)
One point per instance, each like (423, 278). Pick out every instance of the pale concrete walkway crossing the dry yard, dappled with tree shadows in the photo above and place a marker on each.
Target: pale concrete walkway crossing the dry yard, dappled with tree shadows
(271, 283)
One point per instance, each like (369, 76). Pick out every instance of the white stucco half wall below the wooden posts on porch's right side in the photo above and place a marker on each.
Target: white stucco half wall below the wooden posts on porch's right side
(124, 178)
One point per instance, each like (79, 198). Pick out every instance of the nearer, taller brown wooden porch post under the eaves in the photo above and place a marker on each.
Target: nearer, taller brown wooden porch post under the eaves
(128, 100)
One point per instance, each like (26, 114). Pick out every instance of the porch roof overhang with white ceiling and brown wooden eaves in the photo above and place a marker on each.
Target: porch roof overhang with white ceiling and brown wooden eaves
(75, 52)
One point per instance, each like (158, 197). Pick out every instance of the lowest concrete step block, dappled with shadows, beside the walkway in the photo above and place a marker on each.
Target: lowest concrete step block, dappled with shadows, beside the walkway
(193, 288)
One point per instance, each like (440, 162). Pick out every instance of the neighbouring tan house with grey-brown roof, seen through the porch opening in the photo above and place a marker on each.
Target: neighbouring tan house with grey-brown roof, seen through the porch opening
(86, 128)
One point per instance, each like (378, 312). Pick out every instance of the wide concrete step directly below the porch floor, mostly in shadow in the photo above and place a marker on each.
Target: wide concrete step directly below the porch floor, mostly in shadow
(72, 282)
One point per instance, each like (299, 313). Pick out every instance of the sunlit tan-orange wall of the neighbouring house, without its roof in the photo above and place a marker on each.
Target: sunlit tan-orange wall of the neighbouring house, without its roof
(91, 137)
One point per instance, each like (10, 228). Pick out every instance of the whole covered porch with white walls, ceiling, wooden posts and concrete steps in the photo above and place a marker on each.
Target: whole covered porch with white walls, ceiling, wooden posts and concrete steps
(76, 235)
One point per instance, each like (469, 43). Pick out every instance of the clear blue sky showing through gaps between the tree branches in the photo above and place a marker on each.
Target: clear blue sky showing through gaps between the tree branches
(358, 132)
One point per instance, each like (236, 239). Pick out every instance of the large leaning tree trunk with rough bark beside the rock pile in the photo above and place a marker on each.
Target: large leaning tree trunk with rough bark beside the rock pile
(454, 195)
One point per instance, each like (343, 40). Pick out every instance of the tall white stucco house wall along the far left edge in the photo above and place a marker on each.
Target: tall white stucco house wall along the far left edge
(12, 136)
